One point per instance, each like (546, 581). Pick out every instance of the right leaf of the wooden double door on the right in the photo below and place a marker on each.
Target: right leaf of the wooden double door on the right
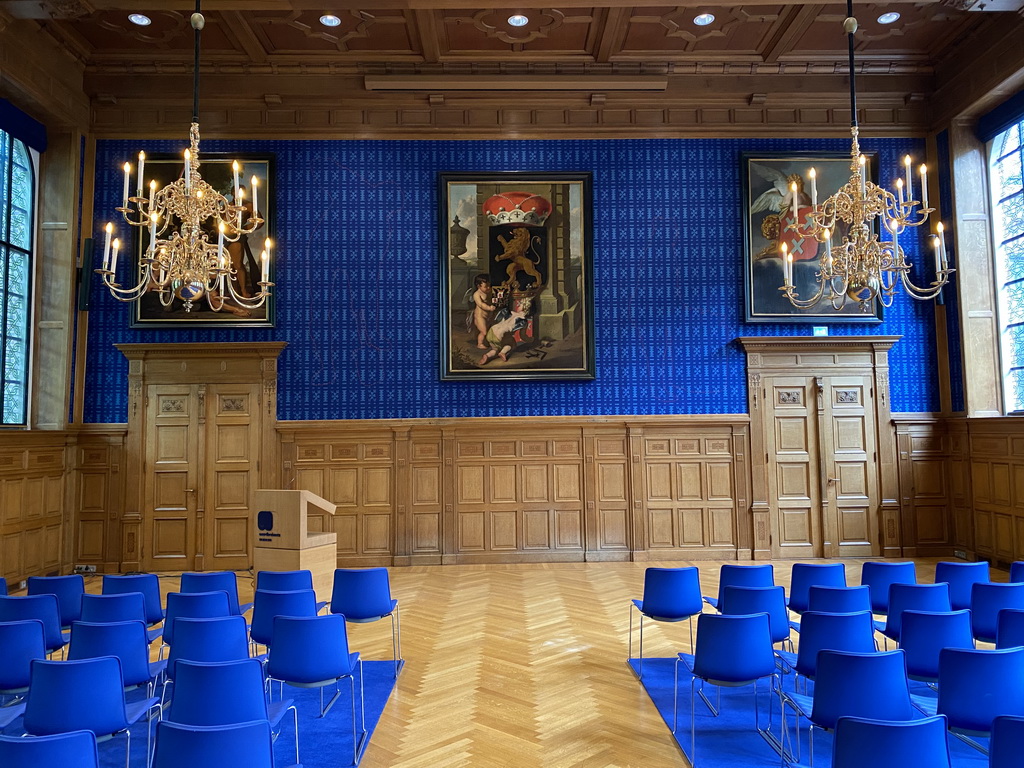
(850, 463)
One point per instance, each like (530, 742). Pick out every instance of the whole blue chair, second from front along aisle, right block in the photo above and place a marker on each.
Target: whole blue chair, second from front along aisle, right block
(732, 652)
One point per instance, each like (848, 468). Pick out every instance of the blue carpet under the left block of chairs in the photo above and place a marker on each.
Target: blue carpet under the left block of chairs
(323, 743)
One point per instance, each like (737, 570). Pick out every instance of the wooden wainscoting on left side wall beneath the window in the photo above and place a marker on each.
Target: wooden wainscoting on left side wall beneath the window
(34, 505)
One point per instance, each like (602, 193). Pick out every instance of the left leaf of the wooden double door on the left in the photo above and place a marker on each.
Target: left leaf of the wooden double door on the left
(170, 478)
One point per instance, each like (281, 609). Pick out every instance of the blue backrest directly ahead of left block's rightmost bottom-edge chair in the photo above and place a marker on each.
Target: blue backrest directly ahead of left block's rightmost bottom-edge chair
(219, 693)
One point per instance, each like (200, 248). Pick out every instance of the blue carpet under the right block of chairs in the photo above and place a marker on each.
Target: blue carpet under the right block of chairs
(731, 741)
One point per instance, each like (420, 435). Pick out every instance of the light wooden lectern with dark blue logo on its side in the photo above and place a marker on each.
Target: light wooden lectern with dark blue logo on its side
(283, 540)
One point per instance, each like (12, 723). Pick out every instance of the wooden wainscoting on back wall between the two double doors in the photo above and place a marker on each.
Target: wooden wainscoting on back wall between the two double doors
(486, 491)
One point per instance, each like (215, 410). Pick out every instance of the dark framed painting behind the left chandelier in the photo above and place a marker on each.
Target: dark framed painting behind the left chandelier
(245, 254)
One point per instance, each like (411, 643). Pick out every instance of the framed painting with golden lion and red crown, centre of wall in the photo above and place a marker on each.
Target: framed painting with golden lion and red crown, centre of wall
(517, 276)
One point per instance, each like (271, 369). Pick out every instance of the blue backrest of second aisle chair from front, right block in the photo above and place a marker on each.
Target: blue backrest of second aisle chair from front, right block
(734, 650)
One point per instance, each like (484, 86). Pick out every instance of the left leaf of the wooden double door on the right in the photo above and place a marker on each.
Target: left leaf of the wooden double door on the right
(794, 476)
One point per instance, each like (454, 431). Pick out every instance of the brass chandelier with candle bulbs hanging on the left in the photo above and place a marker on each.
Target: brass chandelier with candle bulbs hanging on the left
(182, 262)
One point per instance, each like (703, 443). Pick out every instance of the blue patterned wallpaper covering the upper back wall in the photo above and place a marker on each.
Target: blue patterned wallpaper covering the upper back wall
(358, 281)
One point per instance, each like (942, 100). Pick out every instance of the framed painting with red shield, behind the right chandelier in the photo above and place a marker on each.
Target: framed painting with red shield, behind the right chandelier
(769, 221)
